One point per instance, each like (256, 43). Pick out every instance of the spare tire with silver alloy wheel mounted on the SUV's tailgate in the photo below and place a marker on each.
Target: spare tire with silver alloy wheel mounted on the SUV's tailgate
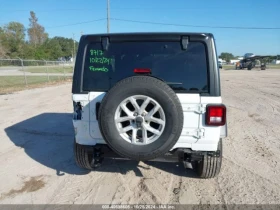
(141, 118)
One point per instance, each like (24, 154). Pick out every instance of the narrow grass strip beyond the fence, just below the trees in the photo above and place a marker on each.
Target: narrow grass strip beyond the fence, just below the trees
(49, 69)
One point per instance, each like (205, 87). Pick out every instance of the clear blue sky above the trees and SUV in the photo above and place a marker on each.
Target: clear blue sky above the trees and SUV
(70, 18)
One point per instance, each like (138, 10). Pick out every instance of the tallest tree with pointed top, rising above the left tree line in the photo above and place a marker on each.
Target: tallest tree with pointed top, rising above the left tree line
(36, 32)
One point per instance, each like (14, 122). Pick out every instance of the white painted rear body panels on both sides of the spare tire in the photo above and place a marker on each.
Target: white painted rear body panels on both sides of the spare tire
(195, 135)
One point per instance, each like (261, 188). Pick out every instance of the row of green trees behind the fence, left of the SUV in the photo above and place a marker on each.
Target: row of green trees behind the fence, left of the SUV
(38, 45)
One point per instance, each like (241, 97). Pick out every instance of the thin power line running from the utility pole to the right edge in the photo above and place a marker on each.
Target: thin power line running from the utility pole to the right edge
(197, 26)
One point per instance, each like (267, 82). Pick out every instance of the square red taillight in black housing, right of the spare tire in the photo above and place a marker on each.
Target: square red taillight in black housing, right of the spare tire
(215, 115)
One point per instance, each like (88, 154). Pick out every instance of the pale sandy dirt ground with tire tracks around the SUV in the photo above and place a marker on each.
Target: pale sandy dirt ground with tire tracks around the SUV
(37, 165)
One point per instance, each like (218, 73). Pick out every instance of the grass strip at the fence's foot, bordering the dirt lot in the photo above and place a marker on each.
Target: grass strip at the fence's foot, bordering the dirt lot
(9, 84)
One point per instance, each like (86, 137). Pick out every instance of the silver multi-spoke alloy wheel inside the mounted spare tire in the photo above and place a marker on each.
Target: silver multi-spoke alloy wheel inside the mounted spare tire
(140, 126)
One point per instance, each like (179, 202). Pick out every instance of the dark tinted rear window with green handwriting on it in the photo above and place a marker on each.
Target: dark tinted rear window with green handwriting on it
(182, 70)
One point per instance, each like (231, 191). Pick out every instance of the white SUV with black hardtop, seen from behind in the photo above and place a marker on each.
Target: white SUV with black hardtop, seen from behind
(149, 96)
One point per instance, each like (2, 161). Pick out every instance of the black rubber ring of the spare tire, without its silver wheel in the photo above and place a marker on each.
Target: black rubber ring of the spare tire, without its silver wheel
(172, 110)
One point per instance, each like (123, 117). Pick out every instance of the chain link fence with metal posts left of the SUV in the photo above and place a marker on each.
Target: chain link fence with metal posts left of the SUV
(19, 72)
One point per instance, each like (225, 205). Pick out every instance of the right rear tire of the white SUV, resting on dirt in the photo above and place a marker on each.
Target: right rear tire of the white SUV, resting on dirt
(210, 165)
